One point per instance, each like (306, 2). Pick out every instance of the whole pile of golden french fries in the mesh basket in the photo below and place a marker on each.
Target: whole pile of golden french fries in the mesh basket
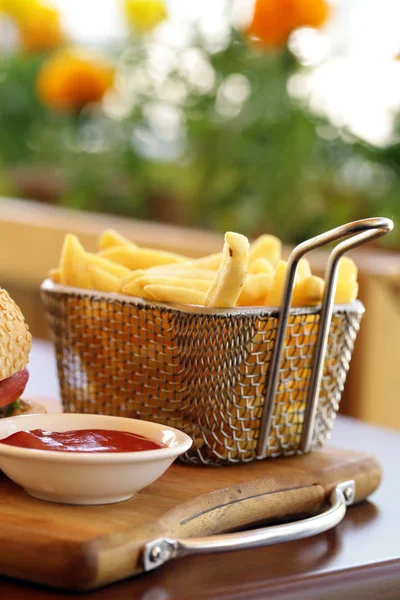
(243, 274)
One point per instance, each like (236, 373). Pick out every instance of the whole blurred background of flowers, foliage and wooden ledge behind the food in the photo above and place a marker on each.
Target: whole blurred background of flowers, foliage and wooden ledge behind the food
(279, 116)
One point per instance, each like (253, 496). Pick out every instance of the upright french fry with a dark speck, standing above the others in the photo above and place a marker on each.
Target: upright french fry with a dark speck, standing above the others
(229, 279)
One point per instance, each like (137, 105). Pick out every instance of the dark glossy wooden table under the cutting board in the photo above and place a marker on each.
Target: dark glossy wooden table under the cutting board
(358, 559)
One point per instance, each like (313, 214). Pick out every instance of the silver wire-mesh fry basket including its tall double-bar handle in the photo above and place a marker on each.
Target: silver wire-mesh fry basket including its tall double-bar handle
(245, 383)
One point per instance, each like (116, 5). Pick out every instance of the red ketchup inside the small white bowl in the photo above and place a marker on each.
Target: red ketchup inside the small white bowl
(82, 440)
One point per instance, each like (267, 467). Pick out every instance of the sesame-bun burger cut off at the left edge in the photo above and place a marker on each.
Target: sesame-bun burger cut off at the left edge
(15, 345)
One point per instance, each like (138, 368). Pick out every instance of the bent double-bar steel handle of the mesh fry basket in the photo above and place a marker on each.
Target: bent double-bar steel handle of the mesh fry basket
(358, 233)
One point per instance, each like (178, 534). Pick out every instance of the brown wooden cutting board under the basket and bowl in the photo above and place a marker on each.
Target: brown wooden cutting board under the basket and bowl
(84, 547)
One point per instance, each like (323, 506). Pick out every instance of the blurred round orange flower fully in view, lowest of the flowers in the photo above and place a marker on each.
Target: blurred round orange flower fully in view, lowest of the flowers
(69, 80)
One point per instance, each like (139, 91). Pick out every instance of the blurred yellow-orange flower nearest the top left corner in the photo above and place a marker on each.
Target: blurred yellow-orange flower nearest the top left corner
(40, 28)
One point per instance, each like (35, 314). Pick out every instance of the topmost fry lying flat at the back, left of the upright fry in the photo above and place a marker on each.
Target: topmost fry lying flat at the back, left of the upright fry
(140, 258)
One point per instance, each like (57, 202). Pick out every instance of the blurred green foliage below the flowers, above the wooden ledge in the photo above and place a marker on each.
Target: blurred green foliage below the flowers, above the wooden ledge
(217, 143)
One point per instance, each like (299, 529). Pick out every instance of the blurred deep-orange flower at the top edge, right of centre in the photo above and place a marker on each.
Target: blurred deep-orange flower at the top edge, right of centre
(274, 20)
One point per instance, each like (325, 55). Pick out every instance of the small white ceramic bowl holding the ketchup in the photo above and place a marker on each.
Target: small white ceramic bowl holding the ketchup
(80, 478)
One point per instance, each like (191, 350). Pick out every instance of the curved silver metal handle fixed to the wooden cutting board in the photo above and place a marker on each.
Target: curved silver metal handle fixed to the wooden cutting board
(161, 550)
